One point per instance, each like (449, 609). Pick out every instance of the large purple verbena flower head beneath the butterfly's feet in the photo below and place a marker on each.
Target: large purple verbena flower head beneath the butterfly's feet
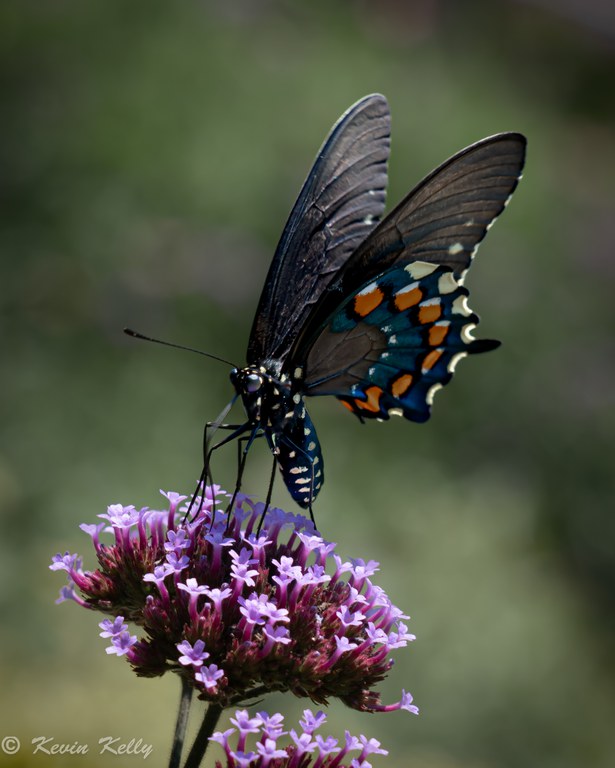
(234, 611)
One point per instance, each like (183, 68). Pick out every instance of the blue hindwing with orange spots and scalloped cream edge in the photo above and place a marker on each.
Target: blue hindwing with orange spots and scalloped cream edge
(390, 347)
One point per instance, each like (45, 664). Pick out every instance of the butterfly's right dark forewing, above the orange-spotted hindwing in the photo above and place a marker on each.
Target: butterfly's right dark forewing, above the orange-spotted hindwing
(442, 221)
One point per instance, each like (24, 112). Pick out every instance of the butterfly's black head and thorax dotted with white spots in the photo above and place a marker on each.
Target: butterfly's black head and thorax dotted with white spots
(266, 396)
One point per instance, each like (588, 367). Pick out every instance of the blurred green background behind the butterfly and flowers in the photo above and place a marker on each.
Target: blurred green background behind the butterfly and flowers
(151, 152)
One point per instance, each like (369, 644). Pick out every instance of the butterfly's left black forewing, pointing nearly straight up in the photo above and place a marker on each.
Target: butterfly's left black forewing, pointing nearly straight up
(340, 202)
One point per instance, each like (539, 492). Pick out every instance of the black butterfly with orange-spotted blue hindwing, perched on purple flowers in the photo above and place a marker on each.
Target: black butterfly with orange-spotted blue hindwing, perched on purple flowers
(370, 310)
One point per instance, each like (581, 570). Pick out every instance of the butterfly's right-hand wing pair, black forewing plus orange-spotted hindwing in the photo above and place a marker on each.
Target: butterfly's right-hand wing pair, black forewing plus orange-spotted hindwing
(391, 327)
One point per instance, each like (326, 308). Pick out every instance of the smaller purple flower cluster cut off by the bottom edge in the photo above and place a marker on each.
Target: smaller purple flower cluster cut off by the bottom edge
(306, 747)
